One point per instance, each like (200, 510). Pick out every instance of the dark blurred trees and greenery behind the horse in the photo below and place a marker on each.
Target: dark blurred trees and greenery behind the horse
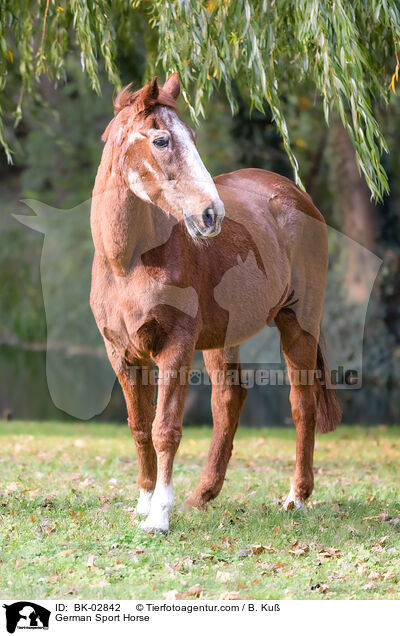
(57, 149)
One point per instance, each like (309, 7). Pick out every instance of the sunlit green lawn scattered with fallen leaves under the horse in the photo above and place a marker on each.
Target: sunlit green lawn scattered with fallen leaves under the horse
(68, 527)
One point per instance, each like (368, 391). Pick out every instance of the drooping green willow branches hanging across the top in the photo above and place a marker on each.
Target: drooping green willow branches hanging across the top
(345, 48)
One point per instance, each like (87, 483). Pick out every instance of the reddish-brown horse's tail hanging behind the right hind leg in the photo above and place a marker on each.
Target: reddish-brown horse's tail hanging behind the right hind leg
(329, 409)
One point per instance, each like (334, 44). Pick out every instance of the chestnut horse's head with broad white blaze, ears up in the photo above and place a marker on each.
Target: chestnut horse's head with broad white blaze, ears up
(156, 156)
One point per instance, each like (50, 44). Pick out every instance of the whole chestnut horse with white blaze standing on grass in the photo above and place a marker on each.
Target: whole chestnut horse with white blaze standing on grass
(172, 275)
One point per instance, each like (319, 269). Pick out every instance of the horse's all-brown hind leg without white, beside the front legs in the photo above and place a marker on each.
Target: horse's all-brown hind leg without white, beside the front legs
(227, 400)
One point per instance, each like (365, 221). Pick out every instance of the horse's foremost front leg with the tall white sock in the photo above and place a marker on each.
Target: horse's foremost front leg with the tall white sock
(174, 365)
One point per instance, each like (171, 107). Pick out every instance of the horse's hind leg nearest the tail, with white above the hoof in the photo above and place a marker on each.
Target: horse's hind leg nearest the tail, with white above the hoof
(300, 351)
